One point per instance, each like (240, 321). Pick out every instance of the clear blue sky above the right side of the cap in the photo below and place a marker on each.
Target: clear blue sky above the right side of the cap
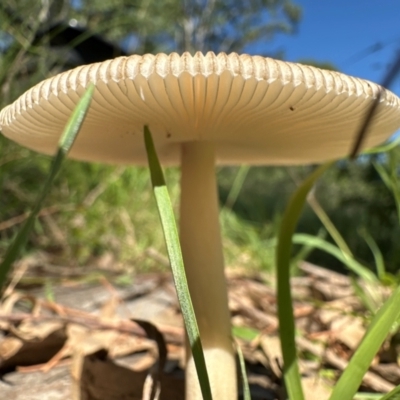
(341, 31)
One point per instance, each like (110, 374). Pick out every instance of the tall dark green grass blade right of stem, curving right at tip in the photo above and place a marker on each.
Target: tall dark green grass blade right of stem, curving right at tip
(285, 308)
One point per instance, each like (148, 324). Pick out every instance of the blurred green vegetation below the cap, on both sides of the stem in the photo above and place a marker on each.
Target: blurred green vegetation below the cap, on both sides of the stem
(351, 192)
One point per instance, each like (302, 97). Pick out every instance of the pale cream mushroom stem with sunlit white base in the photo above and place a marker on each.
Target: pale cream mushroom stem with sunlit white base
(204, 264)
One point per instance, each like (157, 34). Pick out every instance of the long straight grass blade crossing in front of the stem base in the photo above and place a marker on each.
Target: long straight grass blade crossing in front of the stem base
(175, 256)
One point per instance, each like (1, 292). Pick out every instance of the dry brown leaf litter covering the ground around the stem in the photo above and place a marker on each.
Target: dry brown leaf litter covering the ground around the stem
(101, 341)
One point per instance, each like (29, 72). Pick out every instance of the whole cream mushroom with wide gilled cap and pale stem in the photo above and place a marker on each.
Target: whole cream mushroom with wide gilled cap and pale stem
(204, 110)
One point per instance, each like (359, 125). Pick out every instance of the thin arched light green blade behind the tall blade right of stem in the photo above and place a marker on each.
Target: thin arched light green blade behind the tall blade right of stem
(352, 264)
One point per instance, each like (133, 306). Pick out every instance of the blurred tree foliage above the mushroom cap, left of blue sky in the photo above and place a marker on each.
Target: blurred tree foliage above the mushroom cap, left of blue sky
(144, 26)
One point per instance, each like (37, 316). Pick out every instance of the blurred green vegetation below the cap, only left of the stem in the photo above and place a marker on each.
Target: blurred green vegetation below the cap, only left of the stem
(93, 205)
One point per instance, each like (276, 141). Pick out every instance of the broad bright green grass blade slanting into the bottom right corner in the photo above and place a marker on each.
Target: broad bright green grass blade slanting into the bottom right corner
(377, 331)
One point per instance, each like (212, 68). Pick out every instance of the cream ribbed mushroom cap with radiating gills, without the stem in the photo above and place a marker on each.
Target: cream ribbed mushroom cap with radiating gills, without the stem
(256, 110)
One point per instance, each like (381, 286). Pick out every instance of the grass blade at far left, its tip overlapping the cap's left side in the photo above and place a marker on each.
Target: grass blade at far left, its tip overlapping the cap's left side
(64, 145)
